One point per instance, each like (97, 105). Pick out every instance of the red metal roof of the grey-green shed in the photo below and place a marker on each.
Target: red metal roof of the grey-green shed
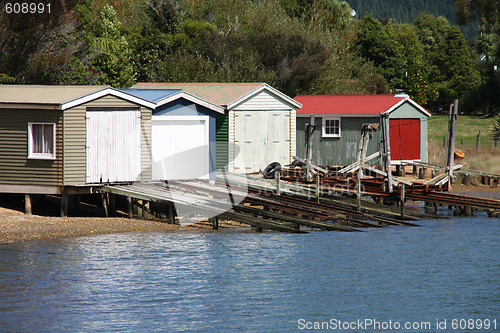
(347, 104)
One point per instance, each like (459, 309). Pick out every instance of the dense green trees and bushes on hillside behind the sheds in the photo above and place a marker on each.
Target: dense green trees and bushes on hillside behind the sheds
(297, 46)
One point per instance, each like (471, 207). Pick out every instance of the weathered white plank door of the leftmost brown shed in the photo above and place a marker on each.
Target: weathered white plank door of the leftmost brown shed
(113, 146)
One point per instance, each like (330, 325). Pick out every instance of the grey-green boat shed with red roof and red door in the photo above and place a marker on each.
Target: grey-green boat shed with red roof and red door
(339, 118)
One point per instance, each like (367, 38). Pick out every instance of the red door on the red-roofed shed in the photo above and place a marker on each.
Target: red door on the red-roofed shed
(405, 139)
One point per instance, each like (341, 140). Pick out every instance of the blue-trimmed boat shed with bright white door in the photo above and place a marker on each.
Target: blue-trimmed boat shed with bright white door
(182, 135)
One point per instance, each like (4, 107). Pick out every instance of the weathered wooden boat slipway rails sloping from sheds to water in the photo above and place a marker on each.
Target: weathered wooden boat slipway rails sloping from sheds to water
(291, 204)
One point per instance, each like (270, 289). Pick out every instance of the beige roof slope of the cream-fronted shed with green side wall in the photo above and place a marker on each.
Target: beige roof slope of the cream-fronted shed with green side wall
(217, 93)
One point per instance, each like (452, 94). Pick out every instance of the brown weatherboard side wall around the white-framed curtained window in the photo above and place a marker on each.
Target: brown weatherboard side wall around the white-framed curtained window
(15, 167)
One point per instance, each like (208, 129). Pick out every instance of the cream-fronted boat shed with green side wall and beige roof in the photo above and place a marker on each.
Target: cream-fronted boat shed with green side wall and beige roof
(257, 128)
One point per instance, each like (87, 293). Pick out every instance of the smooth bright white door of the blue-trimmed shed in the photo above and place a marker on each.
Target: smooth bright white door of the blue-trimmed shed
(180, 147)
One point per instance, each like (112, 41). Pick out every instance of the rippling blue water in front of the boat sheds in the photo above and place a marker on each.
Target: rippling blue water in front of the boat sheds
(241, 281)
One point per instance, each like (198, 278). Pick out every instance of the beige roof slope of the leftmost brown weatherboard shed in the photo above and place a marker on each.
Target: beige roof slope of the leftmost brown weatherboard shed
(38, 94)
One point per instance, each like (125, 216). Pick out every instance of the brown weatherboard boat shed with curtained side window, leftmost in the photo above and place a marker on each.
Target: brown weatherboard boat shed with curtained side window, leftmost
(66, 139)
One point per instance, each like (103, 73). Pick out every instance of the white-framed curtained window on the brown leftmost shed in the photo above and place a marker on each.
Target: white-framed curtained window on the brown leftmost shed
(41, 141)
